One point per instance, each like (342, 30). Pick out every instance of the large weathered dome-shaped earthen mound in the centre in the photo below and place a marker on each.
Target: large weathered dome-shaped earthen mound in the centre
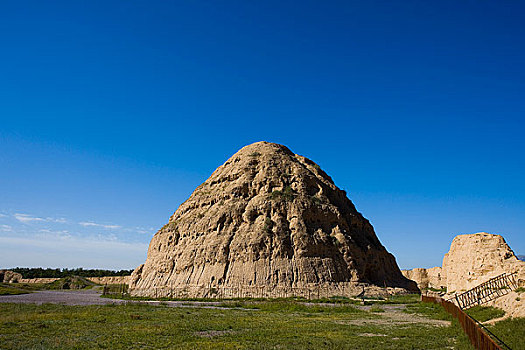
(270, 218)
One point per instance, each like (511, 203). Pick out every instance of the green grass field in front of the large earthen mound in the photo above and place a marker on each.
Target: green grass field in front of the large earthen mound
(264, 325)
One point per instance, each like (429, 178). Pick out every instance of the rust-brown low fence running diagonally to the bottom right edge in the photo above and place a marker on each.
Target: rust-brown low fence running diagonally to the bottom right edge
(472, 328)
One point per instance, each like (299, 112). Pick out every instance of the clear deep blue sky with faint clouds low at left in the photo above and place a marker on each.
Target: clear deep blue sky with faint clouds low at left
(112, 112)
